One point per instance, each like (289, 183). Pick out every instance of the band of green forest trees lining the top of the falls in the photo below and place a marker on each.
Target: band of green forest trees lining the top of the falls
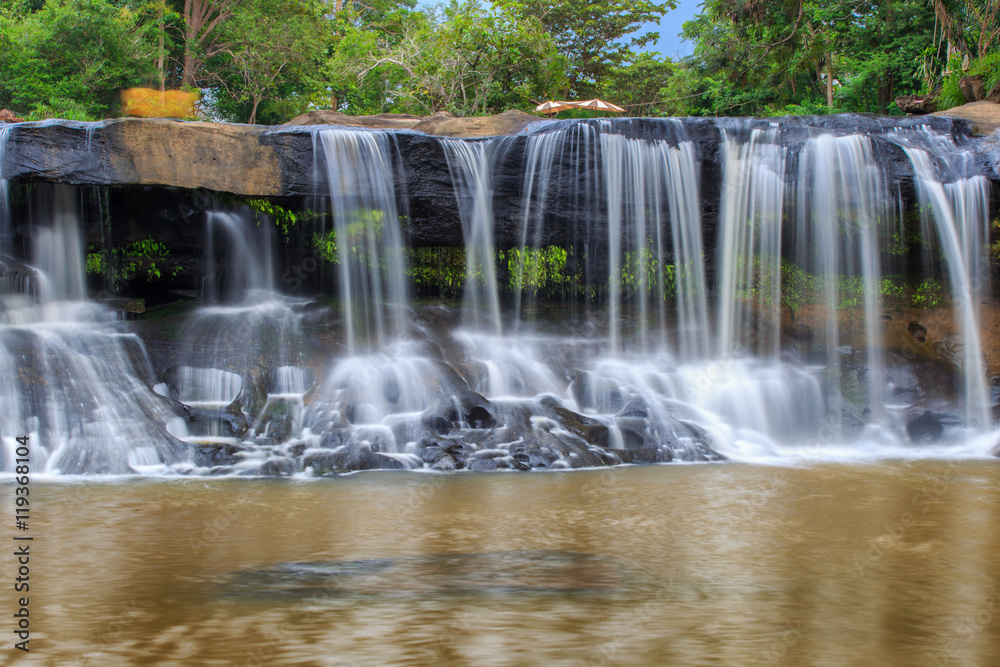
(268, 60)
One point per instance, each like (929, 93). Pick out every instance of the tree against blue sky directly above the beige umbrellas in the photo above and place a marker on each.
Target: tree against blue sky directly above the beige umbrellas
(595, 37)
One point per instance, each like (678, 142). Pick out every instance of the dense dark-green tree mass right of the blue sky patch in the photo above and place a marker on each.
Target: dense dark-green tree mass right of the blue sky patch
(760, 57)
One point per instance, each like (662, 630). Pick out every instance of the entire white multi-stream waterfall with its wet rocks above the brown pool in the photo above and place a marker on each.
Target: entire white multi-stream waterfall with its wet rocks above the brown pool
(730, 329)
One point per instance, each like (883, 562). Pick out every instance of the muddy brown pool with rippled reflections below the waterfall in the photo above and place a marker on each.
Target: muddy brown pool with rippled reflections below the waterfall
(876, 564)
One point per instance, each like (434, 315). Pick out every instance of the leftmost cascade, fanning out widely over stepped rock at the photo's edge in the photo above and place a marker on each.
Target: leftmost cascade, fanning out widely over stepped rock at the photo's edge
(78, 383)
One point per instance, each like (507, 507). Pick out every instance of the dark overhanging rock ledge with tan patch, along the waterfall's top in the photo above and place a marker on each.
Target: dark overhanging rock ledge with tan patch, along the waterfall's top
(162, 175)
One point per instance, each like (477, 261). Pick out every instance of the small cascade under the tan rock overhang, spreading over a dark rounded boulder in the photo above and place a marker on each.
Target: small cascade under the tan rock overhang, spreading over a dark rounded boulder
(243, 355)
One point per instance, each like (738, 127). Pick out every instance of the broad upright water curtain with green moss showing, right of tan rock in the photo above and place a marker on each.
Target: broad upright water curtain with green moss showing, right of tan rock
(368, 242)
